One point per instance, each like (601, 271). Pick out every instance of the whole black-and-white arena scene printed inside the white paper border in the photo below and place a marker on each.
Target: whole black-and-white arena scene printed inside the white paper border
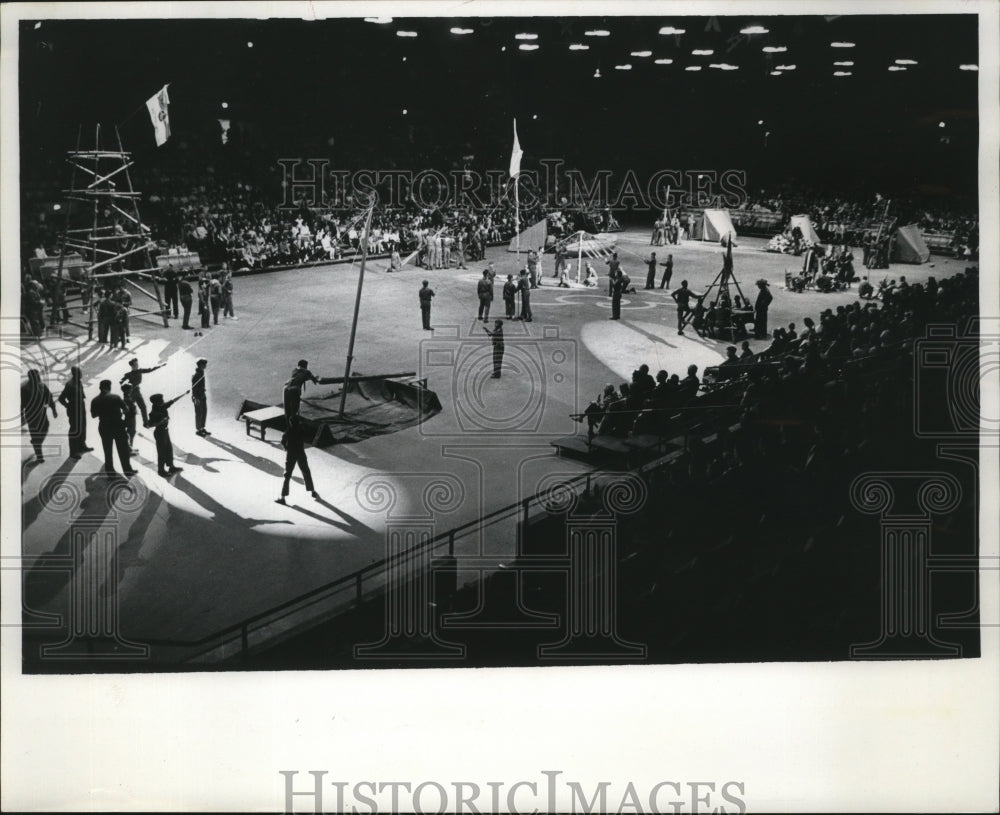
(760, 445)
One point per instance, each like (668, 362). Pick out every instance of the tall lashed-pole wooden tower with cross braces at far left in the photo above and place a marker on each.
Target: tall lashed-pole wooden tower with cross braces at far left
(103, 224)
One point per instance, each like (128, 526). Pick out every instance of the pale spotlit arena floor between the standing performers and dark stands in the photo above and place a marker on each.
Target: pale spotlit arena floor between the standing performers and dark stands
(209, 547)
